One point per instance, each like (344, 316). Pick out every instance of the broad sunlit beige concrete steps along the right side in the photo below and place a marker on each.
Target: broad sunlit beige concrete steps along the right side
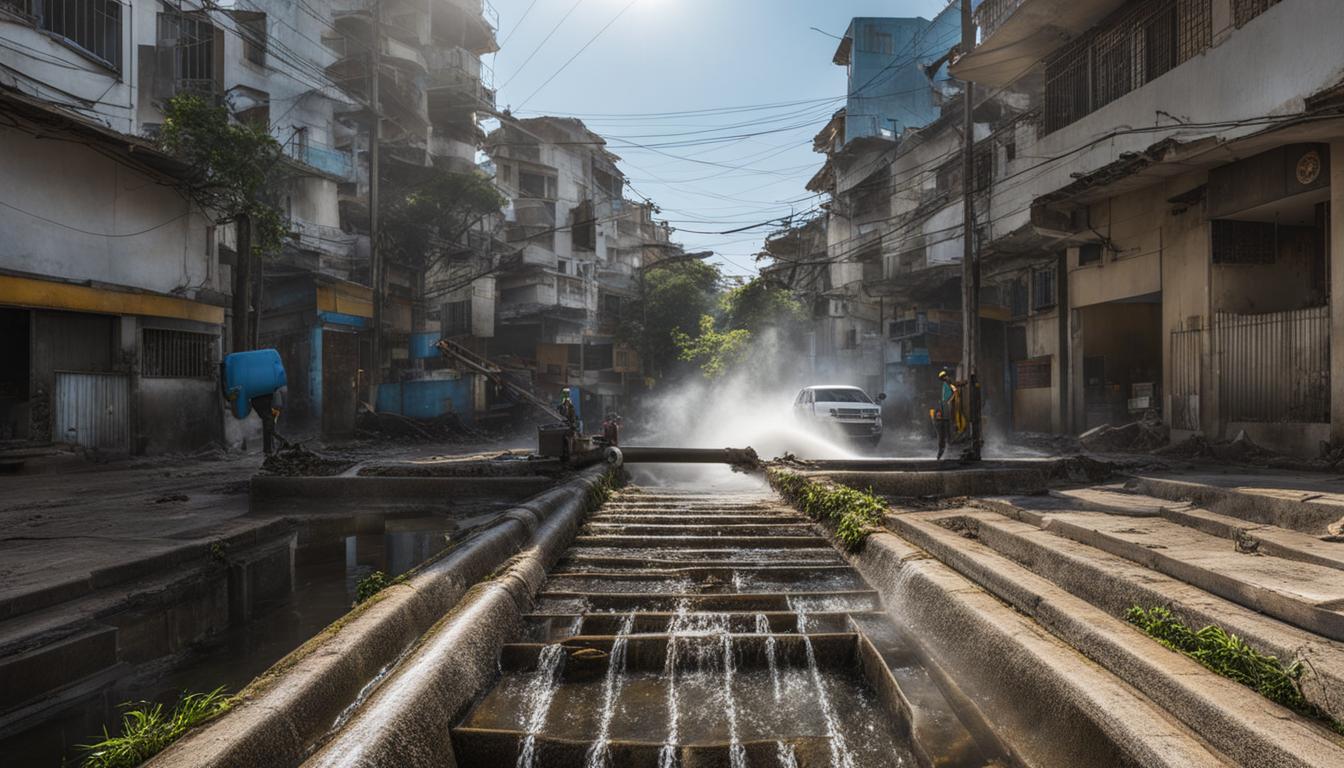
(1076, 574)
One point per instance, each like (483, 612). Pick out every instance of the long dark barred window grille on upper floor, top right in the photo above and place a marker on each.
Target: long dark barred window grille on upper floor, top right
(1135, 46)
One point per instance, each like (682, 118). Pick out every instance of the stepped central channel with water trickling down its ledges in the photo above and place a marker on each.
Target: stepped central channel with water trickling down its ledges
(693, 630)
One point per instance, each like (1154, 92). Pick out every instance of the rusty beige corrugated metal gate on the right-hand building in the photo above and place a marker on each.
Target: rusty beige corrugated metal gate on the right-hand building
(1276, 367)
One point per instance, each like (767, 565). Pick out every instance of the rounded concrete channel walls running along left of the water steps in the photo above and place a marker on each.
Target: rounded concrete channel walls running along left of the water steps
(284, 714)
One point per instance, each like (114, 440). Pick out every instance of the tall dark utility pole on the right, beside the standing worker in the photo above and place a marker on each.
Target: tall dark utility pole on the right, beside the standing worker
(970, 262)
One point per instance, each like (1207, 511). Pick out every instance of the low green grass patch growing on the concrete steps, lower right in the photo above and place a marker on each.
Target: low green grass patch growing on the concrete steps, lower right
(1230, 657)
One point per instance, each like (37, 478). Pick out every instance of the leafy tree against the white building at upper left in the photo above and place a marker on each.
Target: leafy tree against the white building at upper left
(230, 166)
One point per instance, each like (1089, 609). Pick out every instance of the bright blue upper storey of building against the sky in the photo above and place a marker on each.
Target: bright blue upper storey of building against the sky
(889, 89)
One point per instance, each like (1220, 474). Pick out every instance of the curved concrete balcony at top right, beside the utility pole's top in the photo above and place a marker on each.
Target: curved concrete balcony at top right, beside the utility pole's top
(1018, 32)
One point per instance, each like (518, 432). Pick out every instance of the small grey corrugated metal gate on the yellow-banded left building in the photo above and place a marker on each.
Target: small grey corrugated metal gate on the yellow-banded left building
(93, 411)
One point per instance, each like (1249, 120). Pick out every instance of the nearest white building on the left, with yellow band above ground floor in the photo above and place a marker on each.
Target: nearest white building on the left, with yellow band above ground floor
(112, 293)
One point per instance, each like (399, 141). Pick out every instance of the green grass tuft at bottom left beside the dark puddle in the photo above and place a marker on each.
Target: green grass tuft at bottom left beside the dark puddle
(147, 730)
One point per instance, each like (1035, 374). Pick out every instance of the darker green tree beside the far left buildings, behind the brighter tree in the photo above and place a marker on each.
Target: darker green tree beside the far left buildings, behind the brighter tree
(674, 298)
